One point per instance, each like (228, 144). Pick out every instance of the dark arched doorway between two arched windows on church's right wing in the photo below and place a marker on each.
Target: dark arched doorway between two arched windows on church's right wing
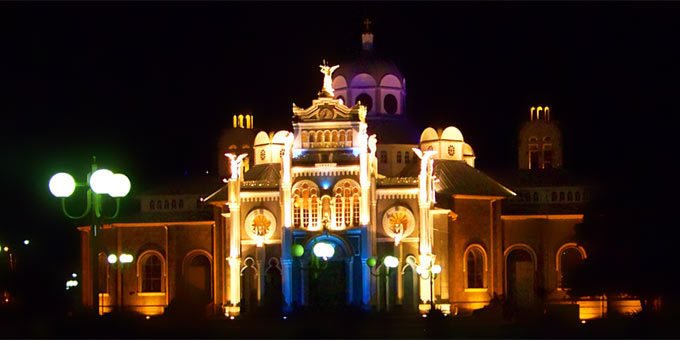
(521, 278)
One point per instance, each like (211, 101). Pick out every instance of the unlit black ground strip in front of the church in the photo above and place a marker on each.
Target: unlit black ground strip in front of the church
(345, 324)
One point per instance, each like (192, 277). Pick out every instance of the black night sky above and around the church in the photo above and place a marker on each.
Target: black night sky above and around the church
(147, 87)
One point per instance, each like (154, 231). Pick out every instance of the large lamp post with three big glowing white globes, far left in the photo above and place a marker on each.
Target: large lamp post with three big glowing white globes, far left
(99, 182)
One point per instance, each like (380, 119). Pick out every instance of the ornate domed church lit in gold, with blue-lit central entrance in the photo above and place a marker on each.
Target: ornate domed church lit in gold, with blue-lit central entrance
(330, 186)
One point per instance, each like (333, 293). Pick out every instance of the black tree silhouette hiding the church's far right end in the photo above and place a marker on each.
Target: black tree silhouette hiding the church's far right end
(628, 231)
